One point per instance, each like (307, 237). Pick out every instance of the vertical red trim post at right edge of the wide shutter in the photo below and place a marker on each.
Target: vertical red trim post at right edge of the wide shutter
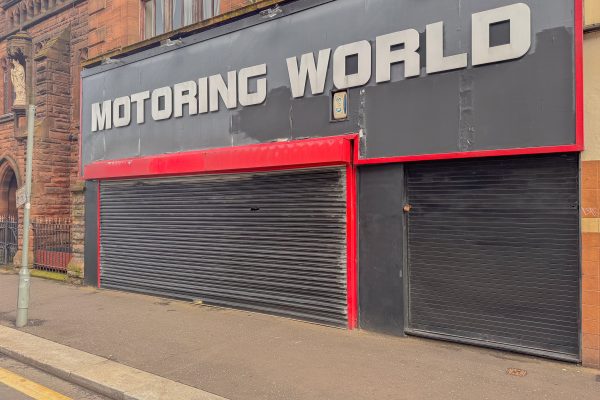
(352, 272)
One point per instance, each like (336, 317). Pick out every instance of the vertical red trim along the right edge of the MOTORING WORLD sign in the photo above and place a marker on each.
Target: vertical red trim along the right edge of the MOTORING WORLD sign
(579, 84)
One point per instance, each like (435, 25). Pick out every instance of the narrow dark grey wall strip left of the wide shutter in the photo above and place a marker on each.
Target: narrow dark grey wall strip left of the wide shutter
(91, 234)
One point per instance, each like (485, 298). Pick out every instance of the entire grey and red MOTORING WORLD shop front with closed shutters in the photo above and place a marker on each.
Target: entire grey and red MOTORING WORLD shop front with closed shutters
(415, 174)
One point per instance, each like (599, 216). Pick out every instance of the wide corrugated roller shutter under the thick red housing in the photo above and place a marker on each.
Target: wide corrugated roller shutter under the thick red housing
(272, 242)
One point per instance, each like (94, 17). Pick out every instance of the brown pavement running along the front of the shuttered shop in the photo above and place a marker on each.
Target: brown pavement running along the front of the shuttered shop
(242, 355)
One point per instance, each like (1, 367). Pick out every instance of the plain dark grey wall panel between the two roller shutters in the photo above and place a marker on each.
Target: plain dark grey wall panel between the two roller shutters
(380, 238)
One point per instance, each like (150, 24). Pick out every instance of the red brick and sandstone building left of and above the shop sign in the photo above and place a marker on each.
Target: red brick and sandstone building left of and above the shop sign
(50, 39)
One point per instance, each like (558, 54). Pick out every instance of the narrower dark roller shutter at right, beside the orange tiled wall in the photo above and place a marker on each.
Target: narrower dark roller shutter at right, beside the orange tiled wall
(494, 252)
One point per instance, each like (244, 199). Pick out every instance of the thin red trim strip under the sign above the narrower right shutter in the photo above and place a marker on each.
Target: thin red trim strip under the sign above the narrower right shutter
(471, 154)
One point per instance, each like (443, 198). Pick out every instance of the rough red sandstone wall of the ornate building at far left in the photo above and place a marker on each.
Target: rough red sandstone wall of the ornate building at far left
(58, 43)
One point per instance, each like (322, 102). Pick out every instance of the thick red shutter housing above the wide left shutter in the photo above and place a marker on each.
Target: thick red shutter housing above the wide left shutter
(334, 150)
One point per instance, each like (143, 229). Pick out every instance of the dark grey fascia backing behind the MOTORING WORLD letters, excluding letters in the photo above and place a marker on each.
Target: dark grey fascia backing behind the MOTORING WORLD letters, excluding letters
(527, 102)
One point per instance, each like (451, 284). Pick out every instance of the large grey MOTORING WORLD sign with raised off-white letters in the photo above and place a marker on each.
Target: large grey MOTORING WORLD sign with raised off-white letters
(424, 77)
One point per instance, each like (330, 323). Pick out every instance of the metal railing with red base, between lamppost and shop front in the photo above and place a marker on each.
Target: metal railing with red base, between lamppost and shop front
(52, 248)
